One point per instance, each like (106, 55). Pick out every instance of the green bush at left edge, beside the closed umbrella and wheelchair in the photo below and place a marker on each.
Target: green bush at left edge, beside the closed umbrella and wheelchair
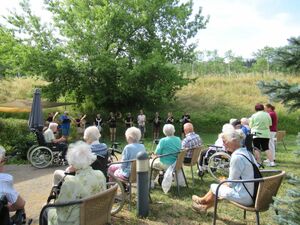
(15, 134)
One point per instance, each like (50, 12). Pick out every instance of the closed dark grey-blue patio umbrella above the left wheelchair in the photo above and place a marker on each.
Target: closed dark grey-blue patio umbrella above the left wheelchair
(36, 120)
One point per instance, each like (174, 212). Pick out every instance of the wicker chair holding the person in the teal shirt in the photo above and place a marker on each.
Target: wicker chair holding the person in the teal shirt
(178, 167)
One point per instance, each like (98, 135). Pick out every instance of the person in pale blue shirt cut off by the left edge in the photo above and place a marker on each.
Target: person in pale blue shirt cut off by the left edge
(15, 201)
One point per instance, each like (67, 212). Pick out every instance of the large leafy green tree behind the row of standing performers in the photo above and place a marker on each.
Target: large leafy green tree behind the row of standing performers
(114, 53)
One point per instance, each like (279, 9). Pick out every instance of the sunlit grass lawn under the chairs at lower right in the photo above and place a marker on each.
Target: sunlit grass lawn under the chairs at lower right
(171, 209)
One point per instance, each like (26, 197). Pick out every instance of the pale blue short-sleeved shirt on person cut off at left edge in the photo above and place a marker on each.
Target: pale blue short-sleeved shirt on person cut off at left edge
(7, 189)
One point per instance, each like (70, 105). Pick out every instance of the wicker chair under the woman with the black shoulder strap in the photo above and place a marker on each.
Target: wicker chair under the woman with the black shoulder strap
(267, 189)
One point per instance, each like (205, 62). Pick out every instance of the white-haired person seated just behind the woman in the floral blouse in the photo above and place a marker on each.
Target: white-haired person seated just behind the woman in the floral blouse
(91, 137)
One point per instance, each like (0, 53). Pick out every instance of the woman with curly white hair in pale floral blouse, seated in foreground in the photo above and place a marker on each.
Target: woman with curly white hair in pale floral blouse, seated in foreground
(85, 183)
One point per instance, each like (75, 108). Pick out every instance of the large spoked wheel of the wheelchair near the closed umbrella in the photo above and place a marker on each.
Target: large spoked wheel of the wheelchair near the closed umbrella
(41, 157)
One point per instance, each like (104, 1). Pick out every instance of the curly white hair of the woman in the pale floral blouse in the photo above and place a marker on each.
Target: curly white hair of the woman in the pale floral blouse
(80, 155)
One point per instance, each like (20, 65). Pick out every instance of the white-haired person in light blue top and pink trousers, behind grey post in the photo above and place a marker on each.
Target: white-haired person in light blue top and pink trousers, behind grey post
(122, 170)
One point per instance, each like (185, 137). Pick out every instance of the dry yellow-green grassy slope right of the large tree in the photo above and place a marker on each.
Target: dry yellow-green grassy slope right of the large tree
(213, 100)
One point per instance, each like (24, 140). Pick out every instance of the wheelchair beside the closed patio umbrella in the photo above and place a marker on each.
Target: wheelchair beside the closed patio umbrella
(42, 154)
